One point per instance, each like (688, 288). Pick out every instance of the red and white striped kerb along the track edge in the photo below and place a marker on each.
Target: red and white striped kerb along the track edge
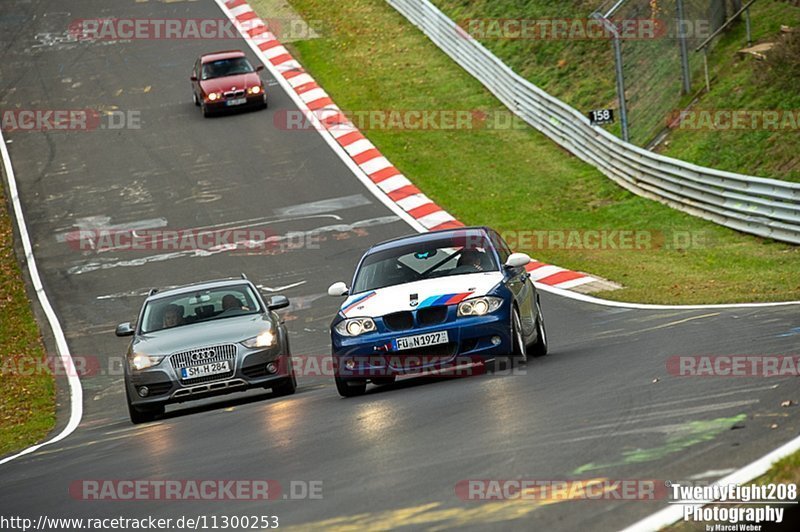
(363, 153)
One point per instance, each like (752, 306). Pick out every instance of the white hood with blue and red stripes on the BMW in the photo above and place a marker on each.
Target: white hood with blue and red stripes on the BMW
(426, 293)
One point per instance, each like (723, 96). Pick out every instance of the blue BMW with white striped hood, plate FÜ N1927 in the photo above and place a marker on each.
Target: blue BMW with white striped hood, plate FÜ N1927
(429, 300)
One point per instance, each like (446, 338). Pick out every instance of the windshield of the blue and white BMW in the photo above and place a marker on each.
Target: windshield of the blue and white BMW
(426, 260)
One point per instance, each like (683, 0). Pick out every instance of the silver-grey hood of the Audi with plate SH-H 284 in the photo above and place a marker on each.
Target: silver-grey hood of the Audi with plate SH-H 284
(204, 334)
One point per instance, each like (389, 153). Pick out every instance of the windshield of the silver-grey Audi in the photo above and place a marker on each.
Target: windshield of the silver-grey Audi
(199, 306)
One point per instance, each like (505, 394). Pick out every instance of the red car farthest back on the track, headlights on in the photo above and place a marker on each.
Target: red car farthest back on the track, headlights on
(225, 81)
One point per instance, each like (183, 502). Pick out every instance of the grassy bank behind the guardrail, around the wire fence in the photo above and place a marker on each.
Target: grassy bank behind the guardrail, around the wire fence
(582, 74)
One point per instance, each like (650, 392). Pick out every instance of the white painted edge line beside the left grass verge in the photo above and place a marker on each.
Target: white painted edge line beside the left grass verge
(75, 389)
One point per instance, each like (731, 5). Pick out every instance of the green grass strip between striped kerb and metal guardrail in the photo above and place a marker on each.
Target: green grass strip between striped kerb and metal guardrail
(517, 180)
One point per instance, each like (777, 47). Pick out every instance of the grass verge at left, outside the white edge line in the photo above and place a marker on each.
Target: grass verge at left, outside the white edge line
(27, 394)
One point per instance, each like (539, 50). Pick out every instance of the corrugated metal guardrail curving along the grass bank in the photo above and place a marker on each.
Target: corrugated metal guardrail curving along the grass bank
(764, 207)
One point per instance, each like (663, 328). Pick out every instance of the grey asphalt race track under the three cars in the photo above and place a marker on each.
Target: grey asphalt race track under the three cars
(392, 458)
